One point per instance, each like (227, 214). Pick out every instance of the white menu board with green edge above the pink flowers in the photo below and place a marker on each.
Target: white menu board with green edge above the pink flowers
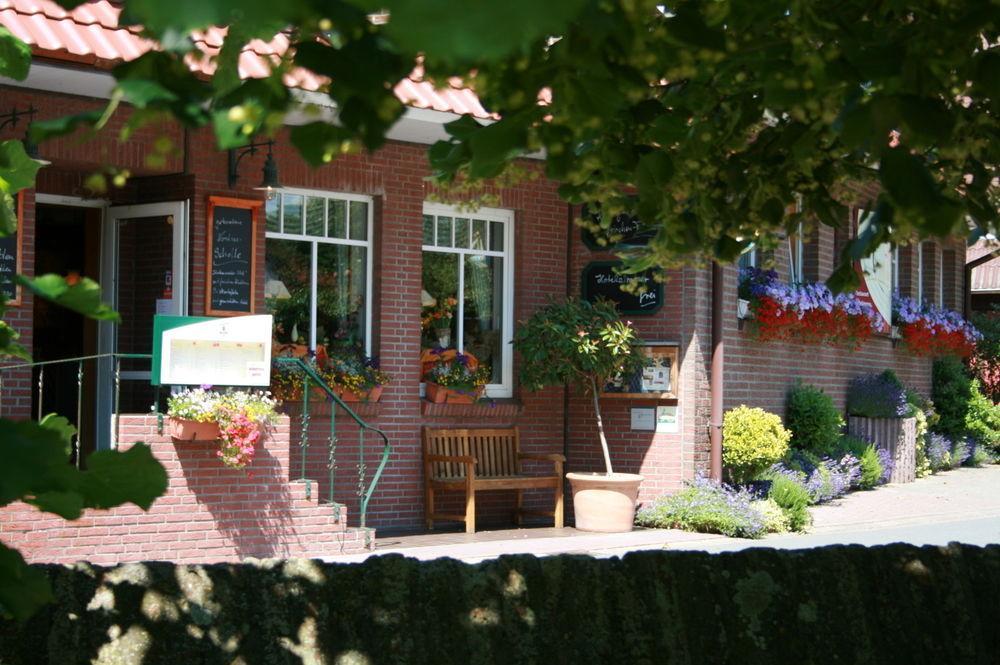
(192, 351)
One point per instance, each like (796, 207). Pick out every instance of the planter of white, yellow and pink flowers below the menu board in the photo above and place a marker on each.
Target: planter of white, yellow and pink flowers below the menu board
(235, 419)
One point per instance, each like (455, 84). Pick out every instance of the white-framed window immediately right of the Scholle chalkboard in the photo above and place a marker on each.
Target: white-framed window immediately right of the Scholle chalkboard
(318, 282)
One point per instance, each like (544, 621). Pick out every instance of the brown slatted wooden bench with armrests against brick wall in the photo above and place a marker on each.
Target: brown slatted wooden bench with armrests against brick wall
(483, 459)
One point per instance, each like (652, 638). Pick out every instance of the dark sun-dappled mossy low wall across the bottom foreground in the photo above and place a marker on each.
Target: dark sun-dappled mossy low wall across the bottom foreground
(844, 604)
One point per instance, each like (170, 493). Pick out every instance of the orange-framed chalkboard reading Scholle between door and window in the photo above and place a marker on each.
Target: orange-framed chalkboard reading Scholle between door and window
(232, 236)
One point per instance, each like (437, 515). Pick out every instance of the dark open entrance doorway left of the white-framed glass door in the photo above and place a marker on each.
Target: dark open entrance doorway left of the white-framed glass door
(67, 242)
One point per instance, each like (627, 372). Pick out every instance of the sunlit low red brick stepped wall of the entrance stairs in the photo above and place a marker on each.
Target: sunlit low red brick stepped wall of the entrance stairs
(209, 512)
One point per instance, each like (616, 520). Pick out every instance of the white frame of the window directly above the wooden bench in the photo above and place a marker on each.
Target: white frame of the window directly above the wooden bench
(506, 386)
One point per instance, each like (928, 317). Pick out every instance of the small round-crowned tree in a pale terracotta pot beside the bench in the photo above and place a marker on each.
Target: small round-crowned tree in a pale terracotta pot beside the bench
(585, 345)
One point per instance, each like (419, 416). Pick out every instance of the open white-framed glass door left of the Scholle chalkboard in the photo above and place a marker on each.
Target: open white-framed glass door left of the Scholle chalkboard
(143, 272)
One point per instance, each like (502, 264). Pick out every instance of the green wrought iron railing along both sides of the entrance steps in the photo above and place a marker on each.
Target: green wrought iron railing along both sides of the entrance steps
(310, 378)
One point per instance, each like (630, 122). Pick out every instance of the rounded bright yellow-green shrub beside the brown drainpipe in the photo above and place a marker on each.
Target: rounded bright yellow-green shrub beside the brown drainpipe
(752, 440)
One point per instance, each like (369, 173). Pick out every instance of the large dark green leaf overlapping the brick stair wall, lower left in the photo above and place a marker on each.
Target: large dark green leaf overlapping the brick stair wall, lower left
(113, 478)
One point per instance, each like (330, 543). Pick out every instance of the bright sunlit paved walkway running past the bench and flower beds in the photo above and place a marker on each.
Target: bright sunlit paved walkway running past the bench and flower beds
(962, 505)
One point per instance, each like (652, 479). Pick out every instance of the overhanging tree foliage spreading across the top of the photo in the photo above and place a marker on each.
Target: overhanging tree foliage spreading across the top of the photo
(710, 116)
